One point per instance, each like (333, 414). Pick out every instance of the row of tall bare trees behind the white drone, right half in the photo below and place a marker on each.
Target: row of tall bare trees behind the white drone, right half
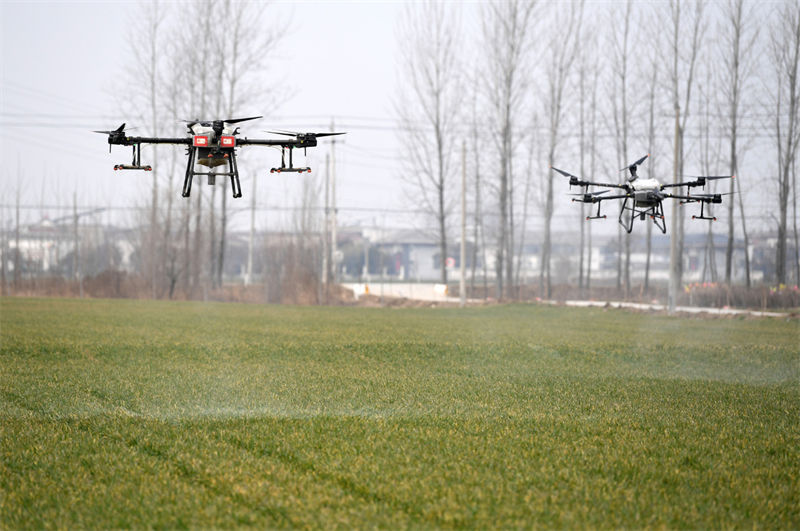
(696, 84)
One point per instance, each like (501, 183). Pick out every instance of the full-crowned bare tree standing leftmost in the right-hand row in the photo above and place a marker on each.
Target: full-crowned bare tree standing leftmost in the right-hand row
(430, 108)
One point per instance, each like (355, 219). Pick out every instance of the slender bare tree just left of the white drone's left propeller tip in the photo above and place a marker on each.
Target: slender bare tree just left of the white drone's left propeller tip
(563, 49)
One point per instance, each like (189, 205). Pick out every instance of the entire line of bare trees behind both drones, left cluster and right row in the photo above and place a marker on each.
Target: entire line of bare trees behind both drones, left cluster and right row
(502, 91)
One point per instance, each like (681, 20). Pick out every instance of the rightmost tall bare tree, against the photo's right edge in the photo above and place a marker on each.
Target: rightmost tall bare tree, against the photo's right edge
(785, 53)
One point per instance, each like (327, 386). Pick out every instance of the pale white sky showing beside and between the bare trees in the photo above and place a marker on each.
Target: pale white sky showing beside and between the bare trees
(62, 60)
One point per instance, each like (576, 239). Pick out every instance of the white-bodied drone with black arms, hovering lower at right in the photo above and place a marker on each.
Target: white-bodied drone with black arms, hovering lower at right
(644, 197)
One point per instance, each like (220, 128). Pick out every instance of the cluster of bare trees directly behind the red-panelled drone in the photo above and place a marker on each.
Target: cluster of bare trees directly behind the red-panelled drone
(189, 79)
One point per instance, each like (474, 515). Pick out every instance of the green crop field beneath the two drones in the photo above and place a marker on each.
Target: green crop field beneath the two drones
(156, 414)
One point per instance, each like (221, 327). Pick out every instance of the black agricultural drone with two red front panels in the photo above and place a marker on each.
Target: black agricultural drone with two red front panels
(213, 143)
